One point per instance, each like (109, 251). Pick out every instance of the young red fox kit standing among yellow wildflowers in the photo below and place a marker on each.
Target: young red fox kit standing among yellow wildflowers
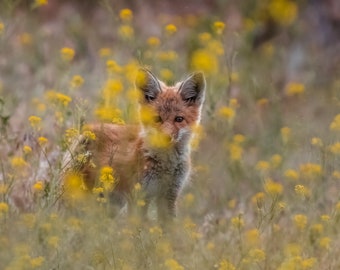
(155, 154)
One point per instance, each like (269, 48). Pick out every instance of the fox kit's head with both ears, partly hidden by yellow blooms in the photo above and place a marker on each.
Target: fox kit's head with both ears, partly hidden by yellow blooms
(168, 113)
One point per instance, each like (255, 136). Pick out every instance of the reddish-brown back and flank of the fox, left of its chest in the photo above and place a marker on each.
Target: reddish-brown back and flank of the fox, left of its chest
(116, 146)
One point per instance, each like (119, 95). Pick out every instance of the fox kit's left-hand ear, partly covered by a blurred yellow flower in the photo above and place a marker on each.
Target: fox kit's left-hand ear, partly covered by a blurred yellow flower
(148, 84)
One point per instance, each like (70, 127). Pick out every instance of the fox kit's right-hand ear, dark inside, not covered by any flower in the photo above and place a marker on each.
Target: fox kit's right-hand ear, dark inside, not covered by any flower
(192, 90)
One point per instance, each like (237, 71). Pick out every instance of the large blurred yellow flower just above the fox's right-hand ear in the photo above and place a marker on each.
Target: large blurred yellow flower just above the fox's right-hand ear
(204, 60)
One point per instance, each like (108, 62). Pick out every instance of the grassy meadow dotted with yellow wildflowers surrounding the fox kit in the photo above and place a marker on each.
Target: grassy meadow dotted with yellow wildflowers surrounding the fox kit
(265, 187)
